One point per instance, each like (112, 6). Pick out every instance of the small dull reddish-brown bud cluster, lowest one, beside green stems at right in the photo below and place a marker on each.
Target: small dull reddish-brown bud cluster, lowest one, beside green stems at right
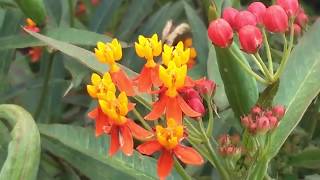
(229, 145)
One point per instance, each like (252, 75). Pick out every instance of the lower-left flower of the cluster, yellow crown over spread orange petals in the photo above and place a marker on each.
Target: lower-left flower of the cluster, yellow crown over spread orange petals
(110, 117)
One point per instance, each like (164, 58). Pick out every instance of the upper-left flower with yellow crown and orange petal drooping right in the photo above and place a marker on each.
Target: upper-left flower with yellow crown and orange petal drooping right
(109, 53)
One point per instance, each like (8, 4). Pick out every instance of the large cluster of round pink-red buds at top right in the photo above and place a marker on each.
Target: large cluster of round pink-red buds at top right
(248, 23)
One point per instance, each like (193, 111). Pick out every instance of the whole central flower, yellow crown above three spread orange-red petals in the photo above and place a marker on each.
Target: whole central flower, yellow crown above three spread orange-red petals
(170, 102)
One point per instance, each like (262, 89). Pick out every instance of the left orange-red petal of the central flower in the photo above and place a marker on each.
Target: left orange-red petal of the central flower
(157, 109)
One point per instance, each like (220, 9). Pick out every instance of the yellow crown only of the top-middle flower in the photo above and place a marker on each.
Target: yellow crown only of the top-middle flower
(148, 48)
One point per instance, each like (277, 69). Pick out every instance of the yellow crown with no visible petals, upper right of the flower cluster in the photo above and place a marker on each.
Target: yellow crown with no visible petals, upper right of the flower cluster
(178, 54)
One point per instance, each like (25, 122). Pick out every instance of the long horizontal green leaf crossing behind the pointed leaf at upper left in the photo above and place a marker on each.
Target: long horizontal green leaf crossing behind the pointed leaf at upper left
(70, 35)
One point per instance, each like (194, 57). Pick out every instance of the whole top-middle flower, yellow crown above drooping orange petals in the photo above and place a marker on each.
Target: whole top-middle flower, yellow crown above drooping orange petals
(148, 48)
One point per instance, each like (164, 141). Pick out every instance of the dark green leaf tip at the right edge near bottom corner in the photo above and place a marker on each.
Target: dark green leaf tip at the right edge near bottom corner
(308, 158)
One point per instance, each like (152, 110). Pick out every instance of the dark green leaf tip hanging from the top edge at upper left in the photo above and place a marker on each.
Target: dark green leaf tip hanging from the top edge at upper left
(33, 9)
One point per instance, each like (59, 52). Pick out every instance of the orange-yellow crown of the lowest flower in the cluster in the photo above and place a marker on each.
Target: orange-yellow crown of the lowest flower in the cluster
(170, 136)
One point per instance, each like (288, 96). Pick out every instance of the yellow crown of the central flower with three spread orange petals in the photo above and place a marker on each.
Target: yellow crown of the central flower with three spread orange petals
(173, 77)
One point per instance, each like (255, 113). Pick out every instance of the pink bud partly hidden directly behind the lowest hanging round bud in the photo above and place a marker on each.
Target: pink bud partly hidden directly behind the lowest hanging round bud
(244, 18)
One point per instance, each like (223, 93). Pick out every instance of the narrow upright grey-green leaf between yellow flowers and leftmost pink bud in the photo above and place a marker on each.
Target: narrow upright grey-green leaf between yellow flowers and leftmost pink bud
(200, 41)
